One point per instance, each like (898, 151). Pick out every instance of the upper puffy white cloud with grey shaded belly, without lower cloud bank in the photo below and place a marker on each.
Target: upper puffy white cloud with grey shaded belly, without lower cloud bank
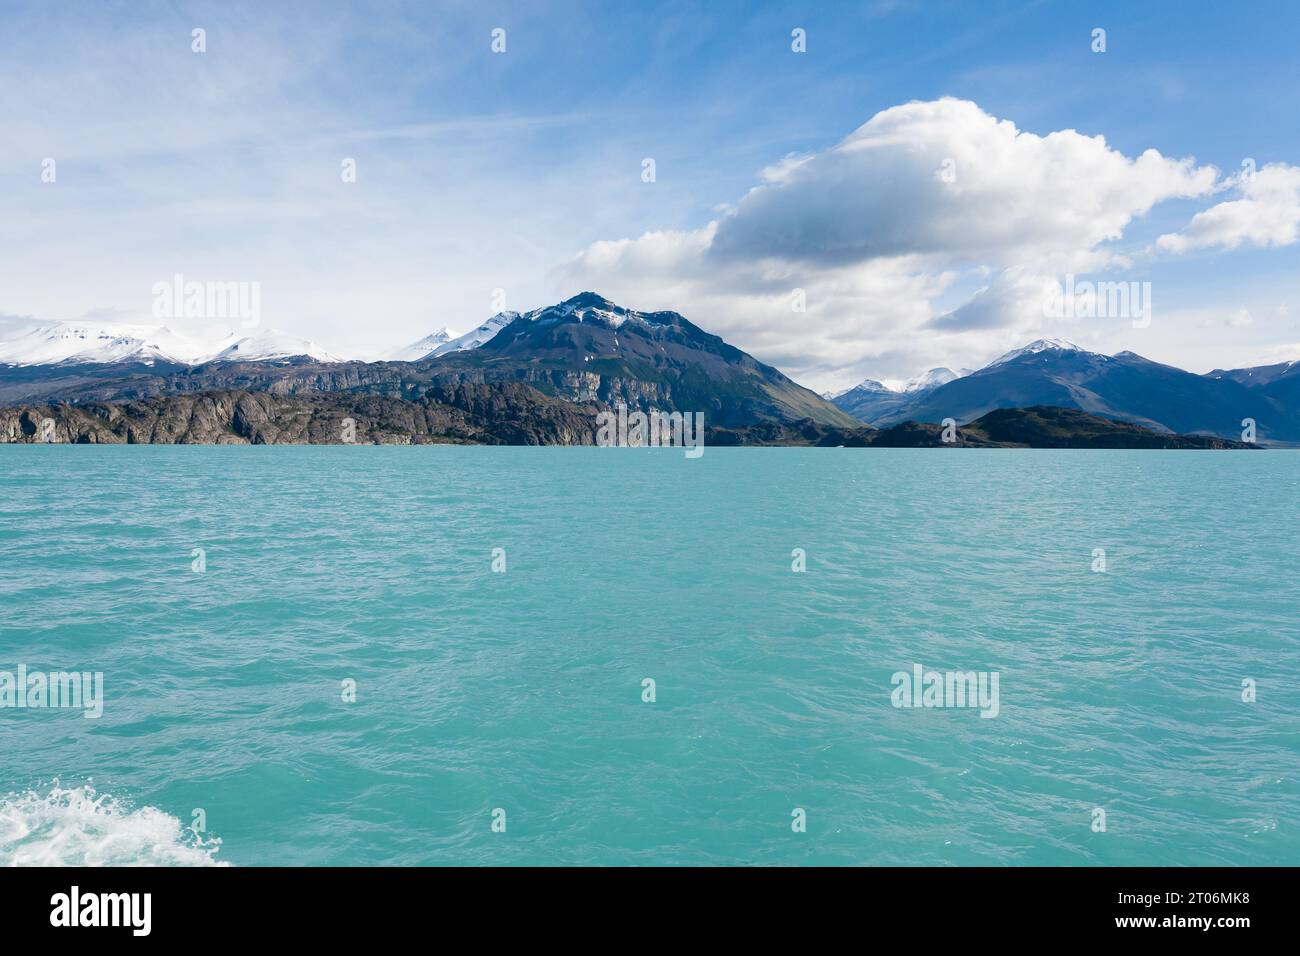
(948, 180)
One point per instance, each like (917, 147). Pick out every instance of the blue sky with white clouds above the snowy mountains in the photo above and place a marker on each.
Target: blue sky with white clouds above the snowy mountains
(517, 171)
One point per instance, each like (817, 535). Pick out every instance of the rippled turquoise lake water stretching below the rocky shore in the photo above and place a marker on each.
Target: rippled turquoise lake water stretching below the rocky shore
(523, 690)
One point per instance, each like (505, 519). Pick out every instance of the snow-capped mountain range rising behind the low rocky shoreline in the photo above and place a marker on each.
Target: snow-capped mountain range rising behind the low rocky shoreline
(593, 353)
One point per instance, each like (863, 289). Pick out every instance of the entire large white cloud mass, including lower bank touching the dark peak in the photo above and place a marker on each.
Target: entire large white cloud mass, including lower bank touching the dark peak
(878, 227)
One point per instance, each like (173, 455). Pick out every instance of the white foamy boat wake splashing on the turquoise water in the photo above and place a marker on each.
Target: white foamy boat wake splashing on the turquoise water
(80, 828)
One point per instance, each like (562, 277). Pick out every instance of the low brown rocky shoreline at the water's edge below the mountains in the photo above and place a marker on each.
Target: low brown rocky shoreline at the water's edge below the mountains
(514, 414)
